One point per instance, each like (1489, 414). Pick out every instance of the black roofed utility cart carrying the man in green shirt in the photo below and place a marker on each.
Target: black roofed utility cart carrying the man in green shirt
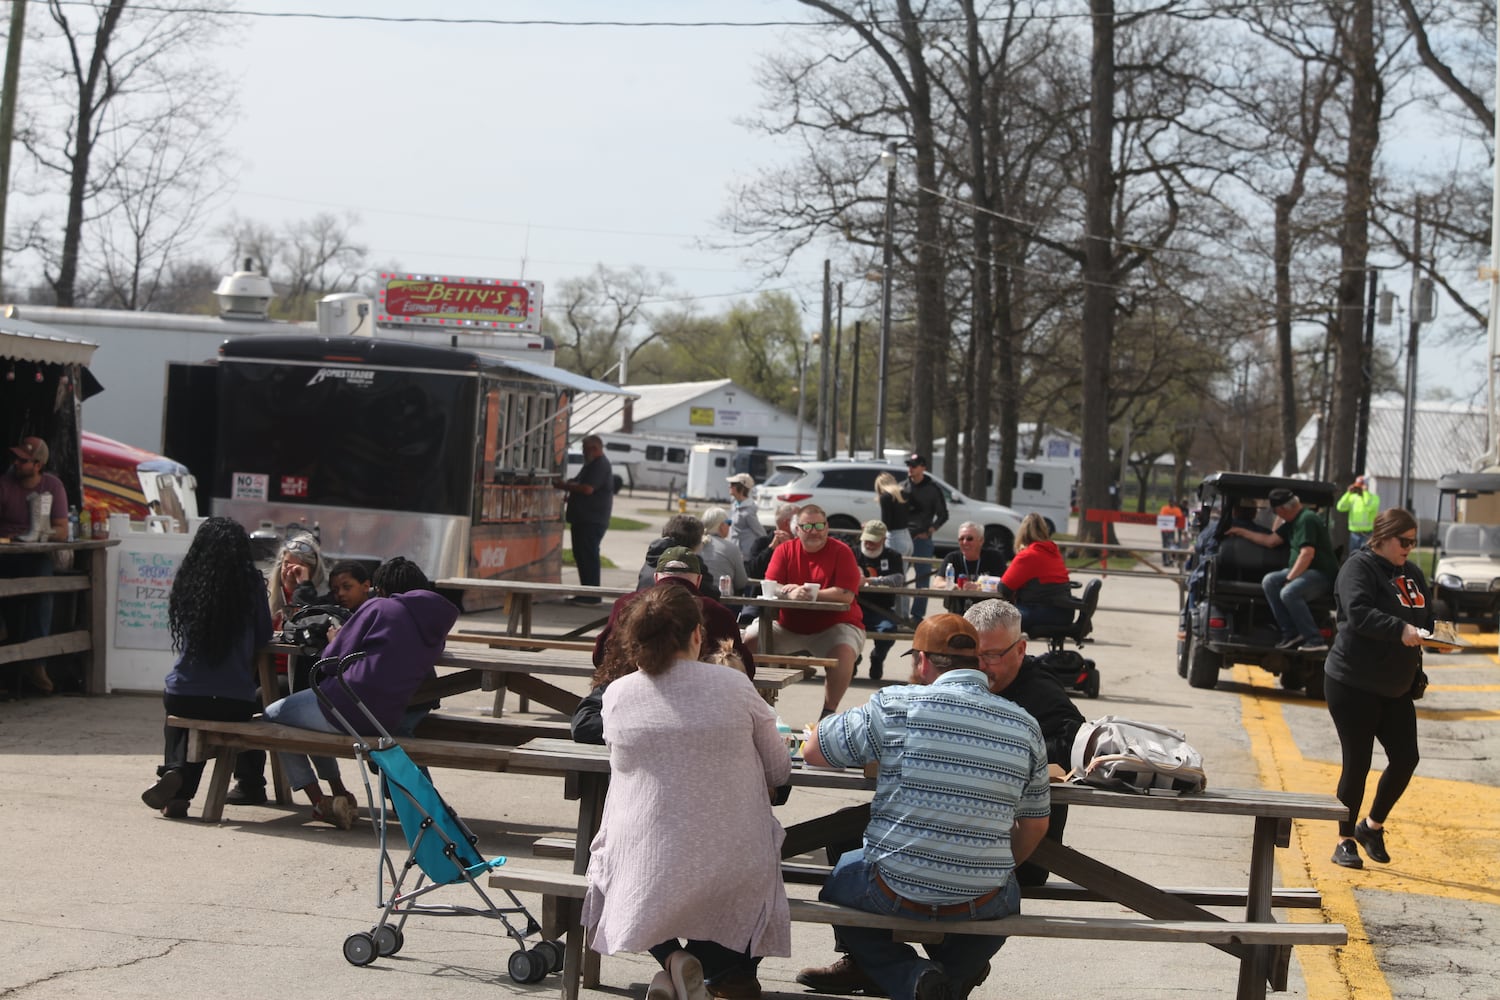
(1228, 618)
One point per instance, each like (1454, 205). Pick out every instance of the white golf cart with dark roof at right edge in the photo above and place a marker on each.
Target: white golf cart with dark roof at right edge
(1466, 560)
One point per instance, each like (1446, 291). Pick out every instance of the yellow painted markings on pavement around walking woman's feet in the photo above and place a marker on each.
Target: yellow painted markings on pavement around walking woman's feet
(1444, 834)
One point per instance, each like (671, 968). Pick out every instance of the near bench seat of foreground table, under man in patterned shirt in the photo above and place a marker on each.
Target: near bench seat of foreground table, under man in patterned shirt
(563, 891)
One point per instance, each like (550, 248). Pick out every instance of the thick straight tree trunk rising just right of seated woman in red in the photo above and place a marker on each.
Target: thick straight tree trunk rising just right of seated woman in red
(1099, 289)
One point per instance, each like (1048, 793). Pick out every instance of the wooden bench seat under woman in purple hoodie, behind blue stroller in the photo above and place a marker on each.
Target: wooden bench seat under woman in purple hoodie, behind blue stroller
(470, 744)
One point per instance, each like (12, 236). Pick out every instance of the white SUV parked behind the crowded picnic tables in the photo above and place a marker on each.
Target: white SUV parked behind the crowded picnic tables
(847, 491)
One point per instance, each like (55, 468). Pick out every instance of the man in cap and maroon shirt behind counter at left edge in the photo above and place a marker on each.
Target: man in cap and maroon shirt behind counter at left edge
(32, 617)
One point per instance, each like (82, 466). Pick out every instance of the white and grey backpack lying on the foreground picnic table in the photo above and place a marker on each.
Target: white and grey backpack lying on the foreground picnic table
(1130, 756)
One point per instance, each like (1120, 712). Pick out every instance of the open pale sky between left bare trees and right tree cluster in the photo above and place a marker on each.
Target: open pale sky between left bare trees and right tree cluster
(521, 151)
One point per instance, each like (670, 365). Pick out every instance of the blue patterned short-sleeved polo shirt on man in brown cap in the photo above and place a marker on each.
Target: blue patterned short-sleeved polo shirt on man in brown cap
(958, 768)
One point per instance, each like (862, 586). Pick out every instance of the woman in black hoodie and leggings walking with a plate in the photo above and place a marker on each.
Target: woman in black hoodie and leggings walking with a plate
(1373, 675)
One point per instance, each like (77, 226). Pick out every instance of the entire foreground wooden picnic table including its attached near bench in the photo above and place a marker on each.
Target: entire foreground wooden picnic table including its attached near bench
(1262, 945)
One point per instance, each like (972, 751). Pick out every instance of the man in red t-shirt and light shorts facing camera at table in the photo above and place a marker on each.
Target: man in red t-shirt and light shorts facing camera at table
(815, 558)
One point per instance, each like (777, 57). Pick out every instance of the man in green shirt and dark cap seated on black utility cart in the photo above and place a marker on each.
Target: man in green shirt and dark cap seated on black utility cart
(1309, 576)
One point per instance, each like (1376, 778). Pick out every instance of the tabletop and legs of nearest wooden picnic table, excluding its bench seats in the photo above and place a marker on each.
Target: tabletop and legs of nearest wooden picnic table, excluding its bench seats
(1262, 966)
